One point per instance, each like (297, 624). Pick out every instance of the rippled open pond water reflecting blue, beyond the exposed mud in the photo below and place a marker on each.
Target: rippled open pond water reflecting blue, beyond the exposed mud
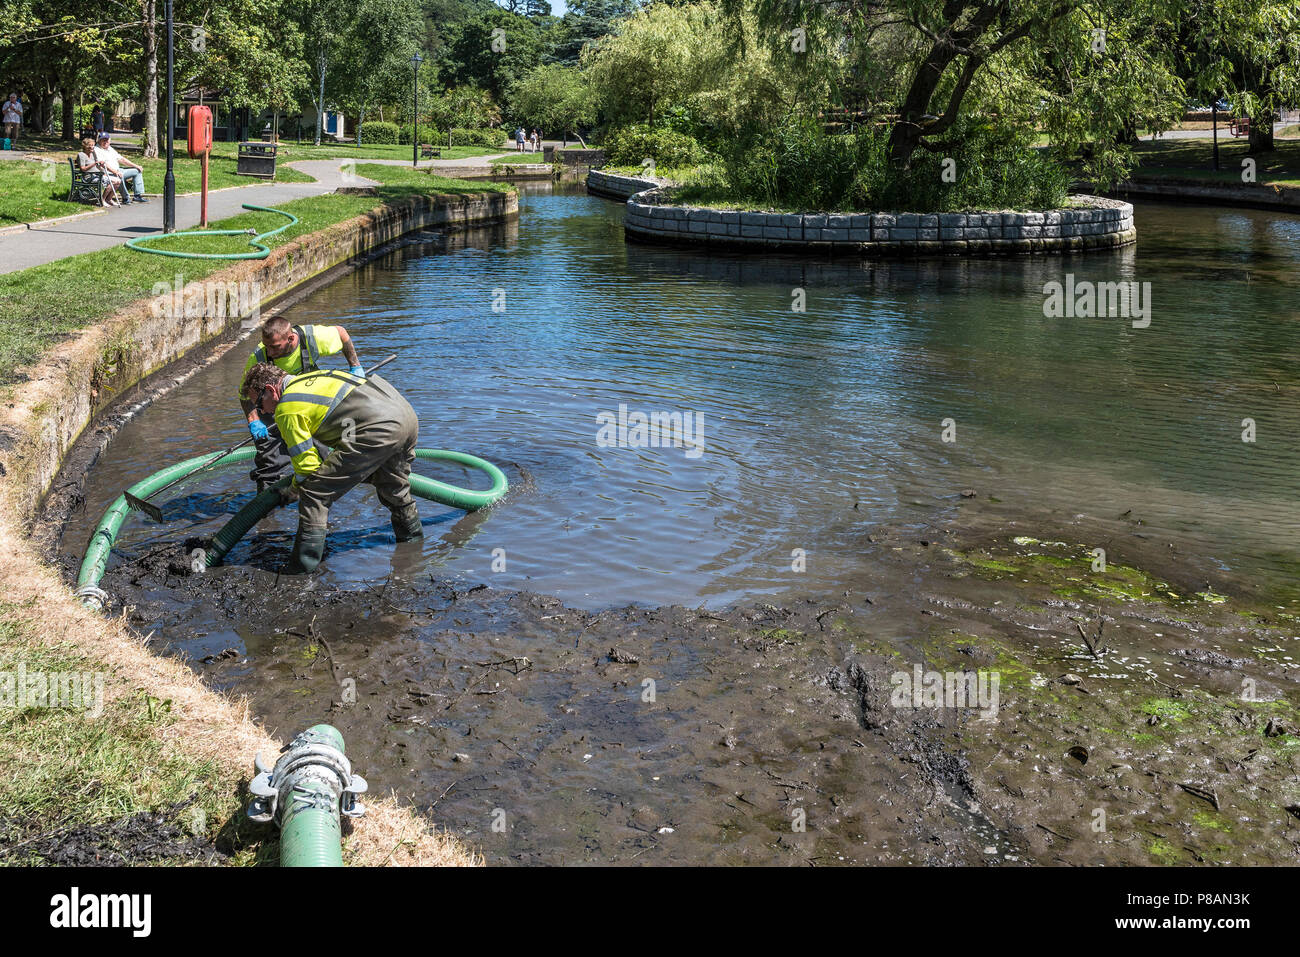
(803, 413)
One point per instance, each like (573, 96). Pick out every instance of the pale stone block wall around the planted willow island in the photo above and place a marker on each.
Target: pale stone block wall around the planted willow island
(1104, 224)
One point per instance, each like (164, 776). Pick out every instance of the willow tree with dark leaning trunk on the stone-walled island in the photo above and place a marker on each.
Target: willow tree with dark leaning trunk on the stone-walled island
(948, 53)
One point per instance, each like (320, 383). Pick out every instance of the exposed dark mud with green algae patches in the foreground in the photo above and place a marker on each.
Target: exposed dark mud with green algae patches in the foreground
(679, 735)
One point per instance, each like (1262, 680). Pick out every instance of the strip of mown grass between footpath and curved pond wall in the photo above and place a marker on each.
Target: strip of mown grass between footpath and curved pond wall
(42, 305)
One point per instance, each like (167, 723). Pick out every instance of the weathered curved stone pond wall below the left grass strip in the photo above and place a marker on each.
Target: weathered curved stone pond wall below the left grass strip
(67, 391)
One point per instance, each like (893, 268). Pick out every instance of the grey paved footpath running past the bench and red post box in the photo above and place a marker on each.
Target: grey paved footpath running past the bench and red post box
(29, 248)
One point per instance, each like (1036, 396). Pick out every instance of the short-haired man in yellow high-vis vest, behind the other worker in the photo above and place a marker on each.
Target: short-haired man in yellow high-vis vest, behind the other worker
(296, 349)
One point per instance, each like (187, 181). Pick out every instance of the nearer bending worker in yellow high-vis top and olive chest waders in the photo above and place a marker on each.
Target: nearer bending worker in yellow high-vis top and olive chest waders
(371, 432)
